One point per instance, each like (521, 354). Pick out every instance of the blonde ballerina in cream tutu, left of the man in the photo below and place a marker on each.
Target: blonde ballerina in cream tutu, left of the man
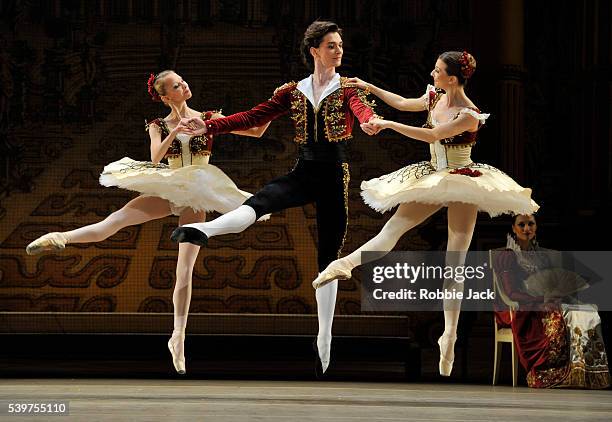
(187, 187)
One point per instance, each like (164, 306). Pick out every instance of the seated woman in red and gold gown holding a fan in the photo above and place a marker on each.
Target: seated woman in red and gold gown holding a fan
(558, 345)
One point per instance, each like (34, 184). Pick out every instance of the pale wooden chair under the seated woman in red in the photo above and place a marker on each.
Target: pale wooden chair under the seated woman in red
(503, 335)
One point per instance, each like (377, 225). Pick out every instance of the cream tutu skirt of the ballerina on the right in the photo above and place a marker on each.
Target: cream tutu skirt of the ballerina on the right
(493, 191)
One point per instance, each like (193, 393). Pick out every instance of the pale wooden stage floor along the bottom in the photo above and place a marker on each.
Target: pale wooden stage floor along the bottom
(297, 401)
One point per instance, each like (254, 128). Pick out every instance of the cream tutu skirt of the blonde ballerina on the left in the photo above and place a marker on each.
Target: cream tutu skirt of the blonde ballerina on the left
(200, 187)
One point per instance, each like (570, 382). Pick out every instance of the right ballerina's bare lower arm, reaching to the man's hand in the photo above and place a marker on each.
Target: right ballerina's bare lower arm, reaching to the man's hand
(464, 123)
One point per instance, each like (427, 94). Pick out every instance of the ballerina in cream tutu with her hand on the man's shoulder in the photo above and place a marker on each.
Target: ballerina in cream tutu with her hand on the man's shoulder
(450, 179)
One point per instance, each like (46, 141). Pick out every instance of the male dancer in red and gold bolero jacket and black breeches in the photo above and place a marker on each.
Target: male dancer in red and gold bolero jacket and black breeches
(321, 107)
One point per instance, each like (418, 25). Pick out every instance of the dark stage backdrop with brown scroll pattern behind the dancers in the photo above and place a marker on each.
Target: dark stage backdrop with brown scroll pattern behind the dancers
(73, 98)
